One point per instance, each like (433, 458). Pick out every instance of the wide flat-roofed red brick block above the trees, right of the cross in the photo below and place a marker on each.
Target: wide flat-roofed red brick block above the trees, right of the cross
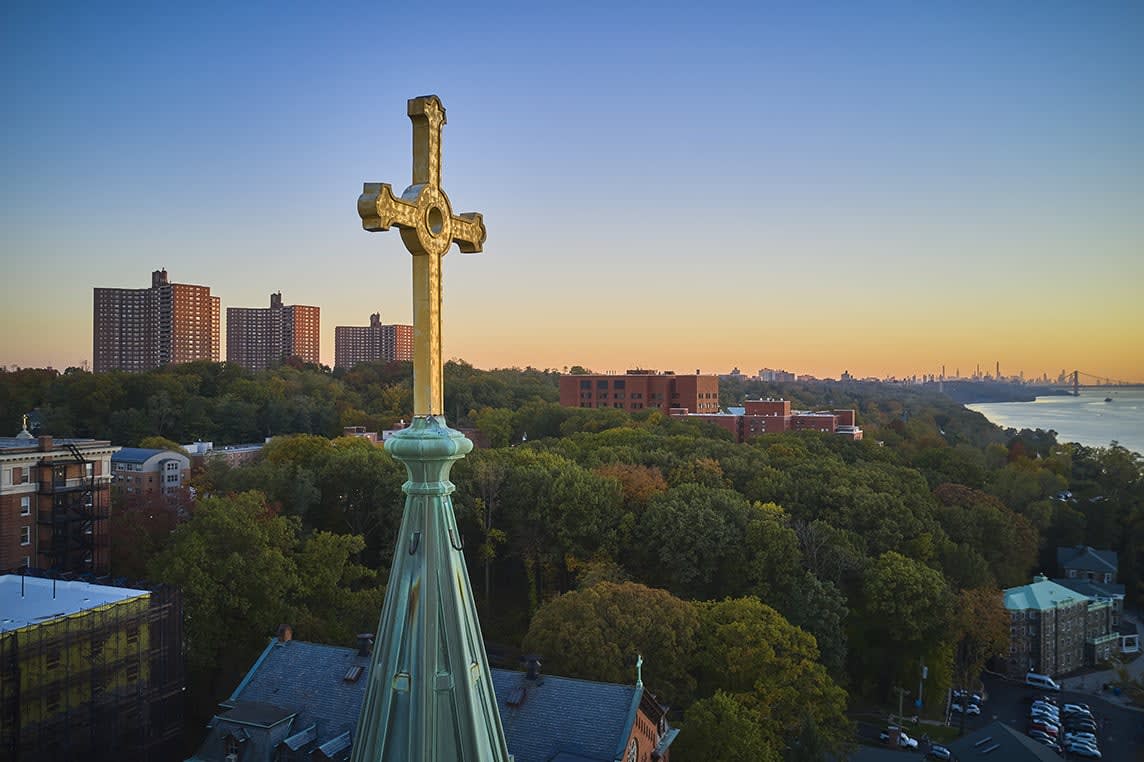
(638, 391)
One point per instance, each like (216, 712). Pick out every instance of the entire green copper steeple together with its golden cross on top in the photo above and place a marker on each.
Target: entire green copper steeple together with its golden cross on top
(431, 694)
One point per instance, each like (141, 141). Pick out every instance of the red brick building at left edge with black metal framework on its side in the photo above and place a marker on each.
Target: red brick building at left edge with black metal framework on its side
(54, 503)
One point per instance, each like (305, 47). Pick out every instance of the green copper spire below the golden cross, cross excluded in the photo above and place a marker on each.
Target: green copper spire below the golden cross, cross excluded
(431, 693)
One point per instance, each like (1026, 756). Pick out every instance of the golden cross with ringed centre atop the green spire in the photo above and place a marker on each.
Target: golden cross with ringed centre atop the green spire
(428, 228)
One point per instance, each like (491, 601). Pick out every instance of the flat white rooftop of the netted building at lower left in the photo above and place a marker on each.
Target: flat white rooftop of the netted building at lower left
(35, 600)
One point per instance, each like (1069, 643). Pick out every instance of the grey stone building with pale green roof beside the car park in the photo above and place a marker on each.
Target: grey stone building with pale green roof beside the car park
(1055, 631)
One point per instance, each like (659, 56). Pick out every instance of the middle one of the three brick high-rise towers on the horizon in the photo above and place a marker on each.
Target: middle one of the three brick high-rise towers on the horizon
(260, 338)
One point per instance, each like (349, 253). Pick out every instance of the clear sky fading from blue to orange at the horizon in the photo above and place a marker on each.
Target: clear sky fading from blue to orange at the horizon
(881, 188)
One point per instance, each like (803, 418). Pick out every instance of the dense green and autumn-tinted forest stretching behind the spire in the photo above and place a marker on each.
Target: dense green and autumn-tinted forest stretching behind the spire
(772, 588)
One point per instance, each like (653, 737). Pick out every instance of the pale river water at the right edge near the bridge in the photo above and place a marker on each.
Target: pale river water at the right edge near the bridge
(1087, 419)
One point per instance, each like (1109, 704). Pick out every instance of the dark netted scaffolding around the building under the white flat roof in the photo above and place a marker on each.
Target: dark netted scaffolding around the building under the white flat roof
(105, 684)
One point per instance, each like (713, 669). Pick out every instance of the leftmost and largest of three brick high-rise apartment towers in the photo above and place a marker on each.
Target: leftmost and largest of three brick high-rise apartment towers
(145, 329)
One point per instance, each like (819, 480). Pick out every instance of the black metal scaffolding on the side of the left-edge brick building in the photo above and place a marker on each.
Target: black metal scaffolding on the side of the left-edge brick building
(74, 509)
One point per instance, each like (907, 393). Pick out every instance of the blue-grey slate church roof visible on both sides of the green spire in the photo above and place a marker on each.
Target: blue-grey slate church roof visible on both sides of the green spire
(552, 719)
